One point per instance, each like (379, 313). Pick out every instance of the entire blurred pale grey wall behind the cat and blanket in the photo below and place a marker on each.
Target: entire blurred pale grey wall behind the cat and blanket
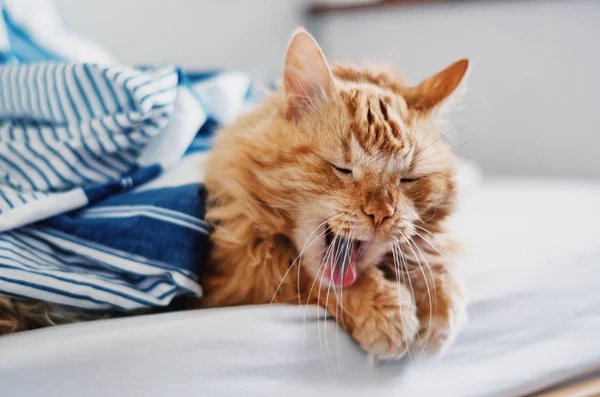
(532, 107)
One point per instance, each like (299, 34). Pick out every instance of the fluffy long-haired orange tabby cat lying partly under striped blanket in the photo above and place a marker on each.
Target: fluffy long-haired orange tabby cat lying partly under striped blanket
(279, 182)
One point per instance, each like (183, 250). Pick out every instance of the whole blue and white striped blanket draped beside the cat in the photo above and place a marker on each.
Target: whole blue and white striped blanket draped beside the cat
(76, 138)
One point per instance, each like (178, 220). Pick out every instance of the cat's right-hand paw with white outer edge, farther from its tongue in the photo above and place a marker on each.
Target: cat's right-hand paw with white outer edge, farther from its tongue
(437, 333)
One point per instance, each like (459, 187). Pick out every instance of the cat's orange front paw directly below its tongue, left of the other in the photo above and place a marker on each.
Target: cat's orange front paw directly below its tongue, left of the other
(387, 323)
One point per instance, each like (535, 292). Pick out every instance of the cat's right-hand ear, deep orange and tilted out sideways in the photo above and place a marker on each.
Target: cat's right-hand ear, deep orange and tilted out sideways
(440, 89)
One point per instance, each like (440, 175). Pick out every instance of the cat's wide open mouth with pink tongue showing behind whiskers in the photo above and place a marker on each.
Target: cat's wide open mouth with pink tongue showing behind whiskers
(341, 258)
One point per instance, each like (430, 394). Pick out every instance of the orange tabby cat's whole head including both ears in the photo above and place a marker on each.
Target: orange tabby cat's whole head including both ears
(353, 157)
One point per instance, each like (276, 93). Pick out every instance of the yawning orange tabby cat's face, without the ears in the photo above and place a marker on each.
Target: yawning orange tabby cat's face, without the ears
(373, 175)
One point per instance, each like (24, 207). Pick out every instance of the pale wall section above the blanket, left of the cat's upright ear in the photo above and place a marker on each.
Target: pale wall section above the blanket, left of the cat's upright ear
(250, 35)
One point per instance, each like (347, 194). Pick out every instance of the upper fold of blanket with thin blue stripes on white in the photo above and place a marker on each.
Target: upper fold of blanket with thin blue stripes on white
(69, 125)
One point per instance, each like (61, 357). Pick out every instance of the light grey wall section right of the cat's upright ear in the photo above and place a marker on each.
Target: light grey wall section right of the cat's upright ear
(533, 104)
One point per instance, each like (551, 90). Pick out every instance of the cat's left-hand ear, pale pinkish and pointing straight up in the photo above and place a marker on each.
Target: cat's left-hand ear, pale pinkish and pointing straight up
(307, 79)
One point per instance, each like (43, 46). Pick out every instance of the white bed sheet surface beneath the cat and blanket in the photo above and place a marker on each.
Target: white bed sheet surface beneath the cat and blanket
(532, 277)
